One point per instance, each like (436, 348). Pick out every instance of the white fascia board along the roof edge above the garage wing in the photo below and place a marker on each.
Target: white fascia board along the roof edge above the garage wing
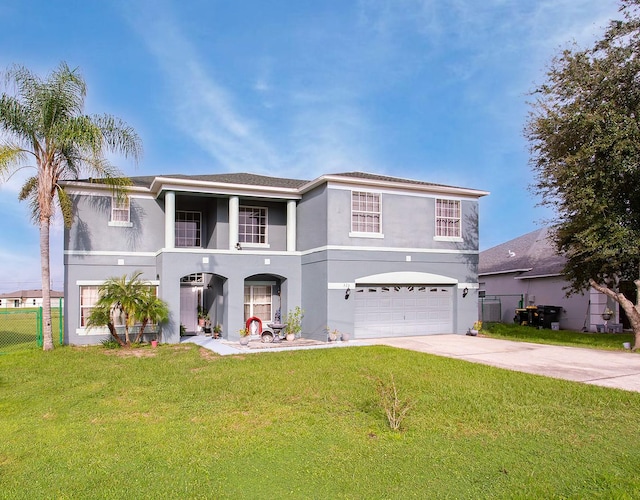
(378, 184)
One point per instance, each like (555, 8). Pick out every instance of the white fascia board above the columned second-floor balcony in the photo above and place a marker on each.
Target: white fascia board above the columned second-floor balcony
(160, 184)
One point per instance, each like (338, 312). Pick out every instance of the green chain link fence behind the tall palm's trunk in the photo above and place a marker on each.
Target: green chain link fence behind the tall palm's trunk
(21, 328)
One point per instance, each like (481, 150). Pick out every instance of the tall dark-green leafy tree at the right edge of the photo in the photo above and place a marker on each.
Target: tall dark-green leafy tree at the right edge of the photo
(584, 132)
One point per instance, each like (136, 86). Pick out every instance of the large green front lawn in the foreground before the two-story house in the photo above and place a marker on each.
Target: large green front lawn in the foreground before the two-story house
(181, 422)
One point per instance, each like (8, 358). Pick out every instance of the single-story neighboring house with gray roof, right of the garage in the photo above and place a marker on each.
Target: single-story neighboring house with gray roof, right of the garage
(527, 271)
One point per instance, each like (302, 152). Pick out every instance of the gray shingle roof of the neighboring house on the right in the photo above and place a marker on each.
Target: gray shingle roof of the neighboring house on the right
(531, 255)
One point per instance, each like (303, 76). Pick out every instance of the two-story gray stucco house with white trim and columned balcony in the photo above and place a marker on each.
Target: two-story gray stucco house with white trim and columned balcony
(366, 254)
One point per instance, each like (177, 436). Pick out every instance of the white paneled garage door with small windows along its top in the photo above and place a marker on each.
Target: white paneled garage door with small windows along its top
(386, 311)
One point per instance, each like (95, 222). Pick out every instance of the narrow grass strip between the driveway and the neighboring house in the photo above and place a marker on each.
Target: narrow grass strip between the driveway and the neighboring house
(611, 341)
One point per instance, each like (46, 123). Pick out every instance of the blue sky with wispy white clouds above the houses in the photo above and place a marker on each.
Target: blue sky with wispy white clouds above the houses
(426, 89)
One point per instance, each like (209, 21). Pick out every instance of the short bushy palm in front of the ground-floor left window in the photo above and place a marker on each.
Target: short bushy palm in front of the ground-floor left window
(130, 298)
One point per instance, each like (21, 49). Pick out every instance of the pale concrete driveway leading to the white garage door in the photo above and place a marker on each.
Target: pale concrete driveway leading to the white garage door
(591, 366)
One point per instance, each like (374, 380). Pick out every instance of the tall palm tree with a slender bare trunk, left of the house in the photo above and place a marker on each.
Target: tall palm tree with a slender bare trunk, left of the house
(43, 126)
